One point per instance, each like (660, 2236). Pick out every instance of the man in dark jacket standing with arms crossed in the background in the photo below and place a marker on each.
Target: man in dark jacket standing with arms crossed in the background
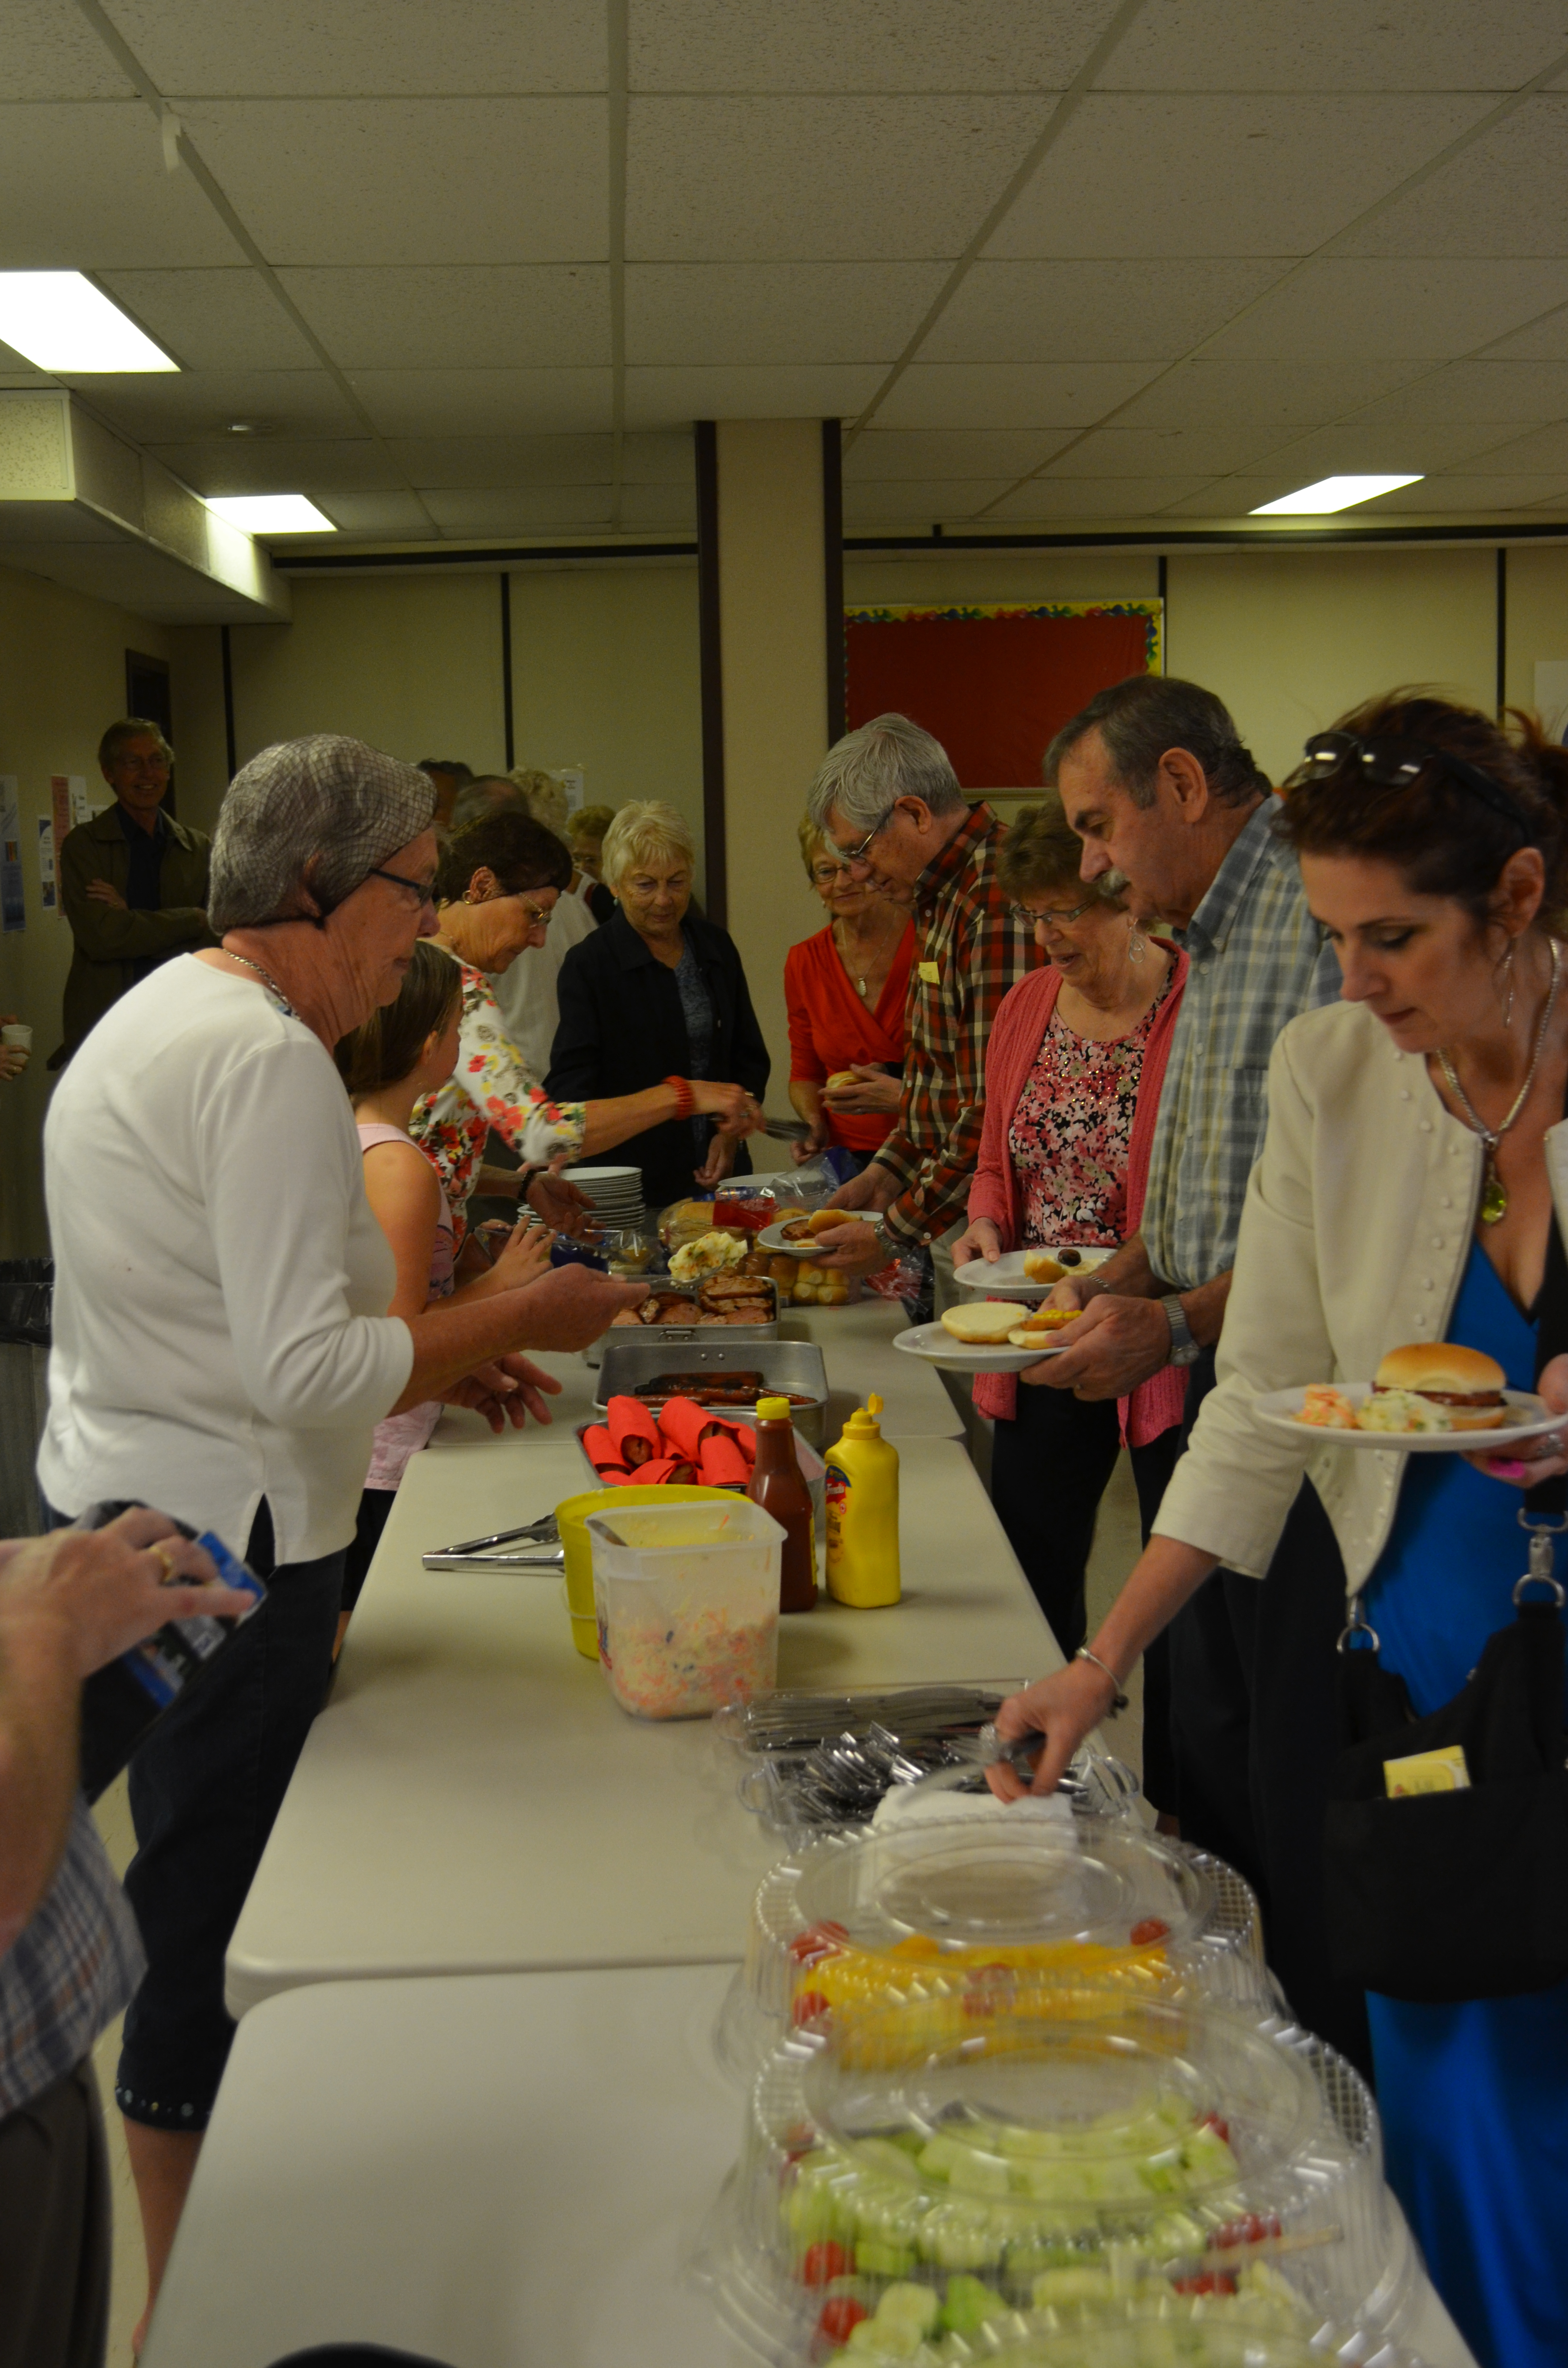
(131, 882)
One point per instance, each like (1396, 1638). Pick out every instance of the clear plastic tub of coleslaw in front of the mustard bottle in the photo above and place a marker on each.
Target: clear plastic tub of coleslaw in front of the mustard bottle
(688, 1602)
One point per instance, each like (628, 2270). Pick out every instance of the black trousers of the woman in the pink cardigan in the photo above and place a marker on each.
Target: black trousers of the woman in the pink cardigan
(1048, 1472)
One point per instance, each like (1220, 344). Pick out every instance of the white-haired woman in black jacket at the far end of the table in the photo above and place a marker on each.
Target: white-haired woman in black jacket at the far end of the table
(660, 996)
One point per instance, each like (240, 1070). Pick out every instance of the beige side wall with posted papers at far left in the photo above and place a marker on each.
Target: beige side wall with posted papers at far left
(63, 678)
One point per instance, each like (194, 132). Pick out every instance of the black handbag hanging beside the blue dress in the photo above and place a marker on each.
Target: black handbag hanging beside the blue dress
(1460, 1896)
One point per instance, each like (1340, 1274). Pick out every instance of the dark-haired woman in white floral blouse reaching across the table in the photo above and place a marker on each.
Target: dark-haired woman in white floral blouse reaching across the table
(496, 889)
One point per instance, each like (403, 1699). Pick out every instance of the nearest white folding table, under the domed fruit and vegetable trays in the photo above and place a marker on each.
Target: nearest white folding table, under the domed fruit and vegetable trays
(494, 2170)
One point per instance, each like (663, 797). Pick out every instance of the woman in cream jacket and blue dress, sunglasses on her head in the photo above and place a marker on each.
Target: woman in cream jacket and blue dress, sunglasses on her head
(1403, 1195)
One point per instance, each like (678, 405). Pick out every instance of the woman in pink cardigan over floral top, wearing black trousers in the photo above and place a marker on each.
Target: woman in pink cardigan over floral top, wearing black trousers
(1072, 1086)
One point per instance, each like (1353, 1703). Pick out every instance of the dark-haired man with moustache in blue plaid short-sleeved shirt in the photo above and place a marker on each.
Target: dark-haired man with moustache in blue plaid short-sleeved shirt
(1162, 787)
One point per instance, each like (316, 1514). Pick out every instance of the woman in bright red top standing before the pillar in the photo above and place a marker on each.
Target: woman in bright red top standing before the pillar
(847, 1010)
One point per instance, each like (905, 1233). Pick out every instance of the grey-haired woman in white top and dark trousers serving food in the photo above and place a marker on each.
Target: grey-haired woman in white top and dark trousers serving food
(224, 1346)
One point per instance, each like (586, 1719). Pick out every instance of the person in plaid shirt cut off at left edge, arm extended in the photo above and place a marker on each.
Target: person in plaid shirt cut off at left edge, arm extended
(70, 1950)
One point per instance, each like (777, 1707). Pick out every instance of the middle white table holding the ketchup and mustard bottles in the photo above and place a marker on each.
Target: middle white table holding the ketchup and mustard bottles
(473, 1801)
